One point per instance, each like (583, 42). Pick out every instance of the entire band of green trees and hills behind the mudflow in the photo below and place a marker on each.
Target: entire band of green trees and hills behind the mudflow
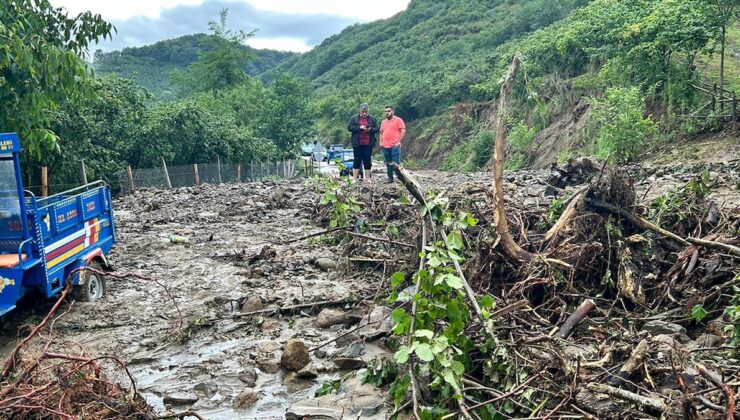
(601, 77)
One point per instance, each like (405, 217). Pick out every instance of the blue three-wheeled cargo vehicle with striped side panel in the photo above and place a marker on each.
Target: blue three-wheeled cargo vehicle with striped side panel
(43, 240)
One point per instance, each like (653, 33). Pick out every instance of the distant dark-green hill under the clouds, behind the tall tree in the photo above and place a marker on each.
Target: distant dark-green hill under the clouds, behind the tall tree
(152, 66)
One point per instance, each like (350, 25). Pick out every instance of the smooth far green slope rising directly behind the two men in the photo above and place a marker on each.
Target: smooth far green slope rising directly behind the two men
(421, 60)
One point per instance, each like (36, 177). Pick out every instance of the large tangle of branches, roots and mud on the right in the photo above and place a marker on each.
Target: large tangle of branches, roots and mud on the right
(618, 309)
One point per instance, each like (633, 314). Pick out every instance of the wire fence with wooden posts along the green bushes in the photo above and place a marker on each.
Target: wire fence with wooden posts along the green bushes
(208, 173)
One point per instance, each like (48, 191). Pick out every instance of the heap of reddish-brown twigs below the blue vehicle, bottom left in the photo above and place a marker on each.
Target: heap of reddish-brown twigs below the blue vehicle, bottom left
(43, 378)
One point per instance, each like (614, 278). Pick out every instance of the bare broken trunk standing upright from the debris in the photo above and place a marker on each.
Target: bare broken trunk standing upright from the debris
(499, 213)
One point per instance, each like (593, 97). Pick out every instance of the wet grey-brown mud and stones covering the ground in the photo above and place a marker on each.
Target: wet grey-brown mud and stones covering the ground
(242, 256)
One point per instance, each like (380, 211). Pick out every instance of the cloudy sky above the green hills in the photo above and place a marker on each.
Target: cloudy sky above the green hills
(291, 25)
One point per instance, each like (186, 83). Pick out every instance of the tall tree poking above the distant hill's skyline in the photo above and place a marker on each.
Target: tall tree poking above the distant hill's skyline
(221, 63)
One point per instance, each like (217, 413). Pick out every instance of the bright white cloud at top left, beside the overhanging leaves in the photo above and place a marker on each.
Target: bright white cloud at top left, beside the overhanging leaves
(122, 10)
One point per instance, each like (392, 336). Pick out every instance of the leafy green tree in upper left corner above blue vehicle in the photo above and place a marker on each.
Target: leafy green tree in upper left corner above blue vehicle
(40, 66)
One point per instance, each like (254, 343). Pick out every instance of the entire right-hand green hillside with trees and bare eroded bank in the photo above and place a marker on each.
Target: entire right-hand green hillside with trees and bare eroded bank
(625, 59)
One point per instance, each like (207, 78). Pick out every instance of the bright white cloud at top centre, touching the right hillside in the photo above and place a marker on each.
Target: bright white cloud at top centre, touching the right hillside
(361, 10)
